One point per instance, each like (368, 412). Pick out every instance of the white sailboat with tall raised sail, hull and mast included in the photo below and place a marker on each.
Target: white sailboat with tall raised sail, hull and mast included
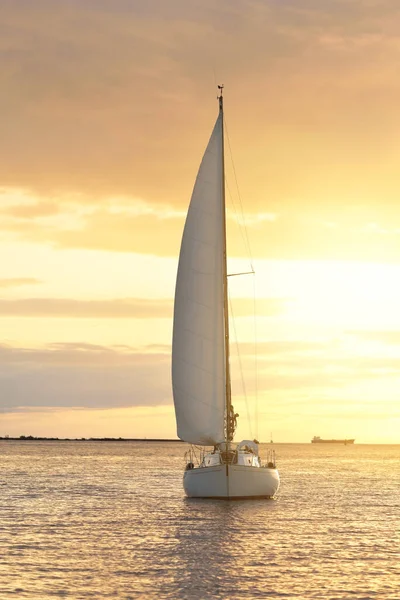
(216, 467)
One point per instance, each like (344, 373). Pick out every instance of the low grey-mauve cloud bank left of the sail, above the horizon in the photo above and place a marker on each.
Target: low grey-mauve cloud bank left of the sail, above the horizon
(81, 375)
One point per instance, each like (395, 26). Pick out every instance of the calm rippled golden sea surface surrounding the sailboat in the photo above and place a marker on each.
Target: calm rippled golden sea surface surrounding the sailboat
(110, 520)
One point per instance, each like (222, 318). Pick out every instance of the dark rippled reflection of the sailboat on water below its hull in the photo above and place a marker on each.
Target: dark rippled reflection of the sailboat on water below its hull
(222, 537)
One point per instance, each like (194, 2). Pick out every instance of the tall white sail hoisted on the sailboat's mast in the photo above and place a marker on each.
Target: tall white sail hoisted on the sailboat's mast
(198, 355)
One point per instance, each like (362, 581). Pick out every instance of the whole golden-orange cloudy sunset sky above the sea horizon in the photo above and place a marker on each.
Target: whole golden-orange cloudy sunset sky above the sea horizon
(106, 109)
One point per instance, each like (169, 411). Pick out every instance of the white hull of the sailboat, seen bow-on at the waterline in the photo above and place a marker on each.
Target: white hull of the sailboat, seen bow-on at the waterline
(231, 482)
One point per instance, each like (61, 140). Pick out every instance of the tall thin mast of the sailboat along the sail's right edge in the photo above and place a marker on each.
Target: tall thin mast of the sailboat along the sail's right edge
(228, 396)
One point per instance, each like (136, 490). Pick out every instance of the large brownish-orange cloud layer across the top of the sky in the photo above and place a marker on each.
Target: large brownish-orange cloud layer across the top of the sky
(311, 98)
